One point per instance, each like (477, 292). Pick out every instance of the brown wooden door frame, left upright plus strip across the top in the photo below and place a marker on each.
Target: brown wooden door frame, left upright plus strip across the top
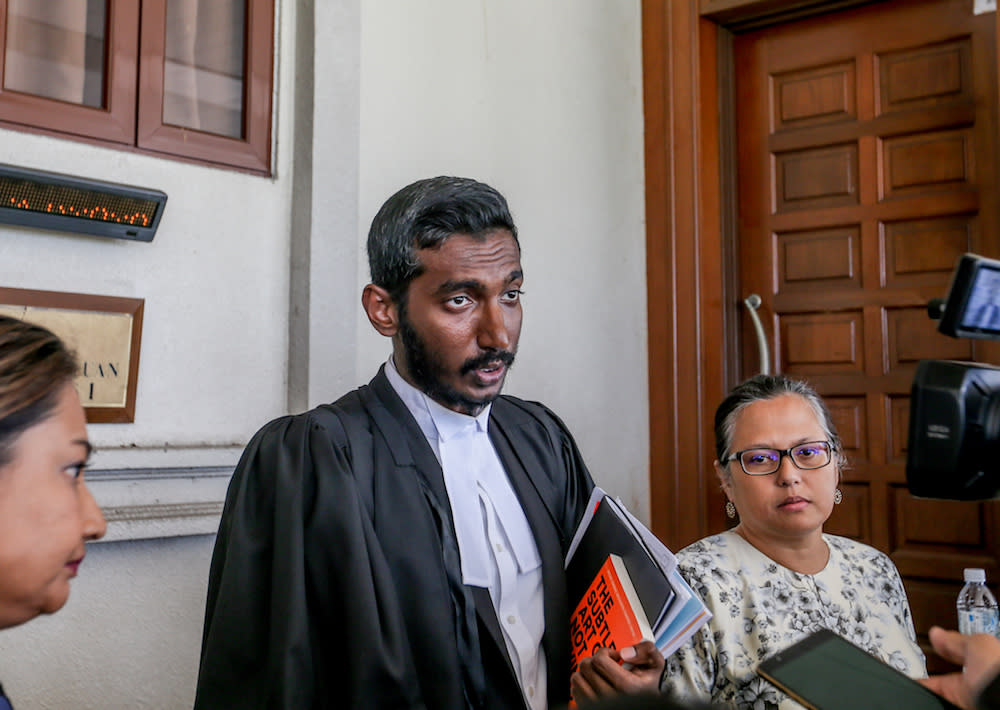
(693, 311)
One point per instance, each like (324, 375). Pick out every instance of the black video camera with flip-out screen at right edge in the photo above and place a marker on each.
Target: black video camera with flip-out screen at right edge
(954, 438)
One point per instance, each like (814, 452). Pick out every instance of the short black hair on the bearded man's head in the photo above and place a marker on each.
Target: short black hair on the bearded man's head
(423, 215)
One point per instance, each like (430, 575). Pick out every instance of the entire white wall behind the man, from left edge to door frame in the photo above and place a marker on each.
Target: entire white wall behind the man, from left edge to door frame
(542, 100)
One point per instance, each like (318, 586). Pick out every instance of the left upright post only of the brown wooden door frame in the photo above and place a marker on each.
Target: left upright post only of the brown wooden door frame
(682, 234)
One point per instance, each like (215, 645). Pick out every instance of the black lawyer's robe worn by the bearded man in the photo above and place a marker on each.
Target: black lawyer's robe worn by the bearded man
(336, 580)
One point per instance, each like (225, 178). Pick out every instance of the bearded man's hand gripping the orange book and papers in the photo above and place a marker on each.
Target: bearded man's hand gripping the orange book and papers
(604, 675)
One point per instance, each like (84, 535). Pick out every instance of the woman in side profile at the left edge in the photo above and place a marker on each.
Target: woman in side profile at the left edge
(46, 512)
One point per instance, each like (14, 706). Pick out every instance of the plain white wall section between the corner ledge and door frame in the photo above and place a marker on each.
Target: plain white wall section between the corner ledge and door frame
(543, 101)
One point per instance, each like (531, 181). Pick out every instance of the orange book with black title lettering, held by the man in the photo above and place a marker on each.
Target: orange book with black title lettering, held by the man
(609, 614)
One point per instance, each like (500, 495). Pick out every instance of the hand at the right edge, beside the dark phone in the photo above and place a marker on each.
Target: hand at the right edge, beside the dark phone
(979, 654)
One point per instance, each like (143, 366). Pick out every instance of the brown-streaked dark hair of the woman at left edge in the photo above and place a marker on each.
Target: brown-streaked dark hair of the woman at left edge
(34, 367)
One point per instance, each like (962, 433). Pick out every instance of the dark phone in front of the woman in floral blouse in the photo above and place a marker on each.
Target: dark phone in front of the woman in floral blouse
(825, 671)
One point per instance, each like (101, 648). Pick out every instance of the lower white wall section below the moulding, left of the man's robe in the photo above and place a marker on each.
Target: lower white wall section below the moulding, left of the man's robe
(127, 638)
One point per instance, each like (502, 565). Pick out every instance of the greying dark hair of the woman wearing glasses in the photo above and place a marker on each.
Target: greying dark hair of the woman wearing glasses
(763, 387)
